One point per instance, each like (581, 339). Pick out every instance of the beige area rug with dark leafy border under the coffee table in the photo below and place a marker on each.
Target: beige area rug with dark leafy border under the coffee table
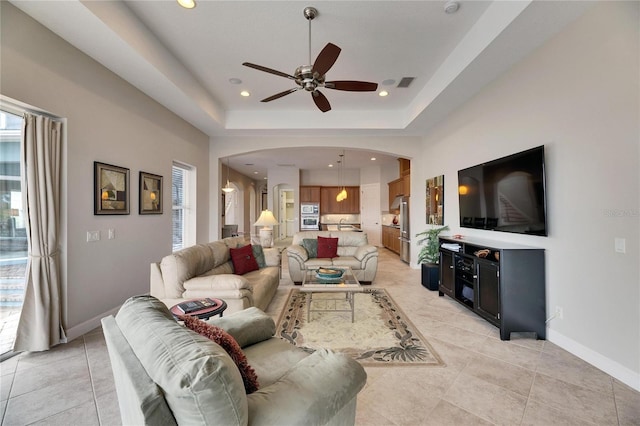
(381, 335)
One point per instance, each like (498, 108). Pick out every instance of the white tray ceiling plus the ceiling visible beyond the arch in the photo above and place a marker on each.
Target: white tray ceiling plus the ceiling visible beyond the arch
(185, 58)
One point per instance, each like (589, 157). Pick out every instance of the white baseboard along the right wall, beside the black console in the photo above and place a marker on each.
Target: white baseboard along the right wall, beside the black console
(625, 375)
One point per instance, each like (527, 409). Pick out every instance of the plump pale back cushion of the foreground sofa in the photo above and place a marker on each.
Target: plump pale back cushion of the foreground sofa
(198, 378)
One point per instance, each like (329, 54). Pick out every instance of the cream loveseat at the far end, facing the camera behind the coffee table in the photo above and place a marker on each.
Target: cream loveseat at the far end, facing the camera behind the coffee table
(354, 251)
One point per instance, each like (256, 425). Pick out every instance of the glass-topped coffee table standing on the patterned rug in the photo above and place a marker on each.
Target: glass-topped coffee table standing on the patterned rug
(347, 284)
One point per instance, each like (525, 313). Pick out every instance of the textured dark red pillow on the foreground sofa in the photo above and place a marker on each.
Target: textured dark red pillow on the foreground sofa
(229, 344)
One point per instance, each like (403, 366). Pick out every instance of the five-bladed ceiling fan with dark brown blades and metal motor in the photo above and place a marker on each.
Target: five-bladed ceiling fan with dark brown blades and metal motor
(311, 77)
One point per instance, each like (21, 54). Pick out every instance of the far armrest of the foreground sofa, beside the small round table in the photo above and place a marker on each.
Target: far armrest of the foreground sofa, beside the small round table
(248, 327)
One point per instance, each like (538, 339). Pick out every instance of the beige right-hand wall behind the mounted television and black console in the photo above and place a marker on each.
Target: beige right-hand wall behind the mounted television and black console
(579, 96)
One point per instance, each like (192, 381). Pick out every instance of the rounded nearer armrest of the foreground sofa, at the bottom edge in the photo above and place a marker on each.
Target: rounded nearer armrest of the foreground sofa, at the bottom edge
(310, 393)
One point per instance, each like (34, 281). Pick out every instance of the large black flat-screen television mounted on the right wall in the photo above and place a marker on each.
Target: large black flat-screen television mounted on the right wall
(507, 194)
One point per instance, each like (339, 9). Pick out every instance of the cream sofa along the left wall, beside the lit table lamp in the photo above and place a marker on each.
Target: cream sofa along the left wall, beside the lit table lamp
(206, 270)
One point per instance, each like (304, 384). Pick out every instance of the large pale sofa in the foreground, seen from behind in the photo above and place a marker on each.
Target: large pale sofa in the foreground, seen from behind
(167, 374)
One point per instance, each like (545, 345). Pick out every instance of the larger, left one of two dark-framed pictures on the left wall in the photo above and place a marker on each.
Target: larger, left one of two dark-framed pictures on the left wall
(110, 189)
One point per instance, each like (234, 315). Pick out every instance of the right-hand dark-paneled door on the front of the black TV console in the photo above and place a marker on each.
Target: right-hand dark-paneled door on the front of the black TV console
(487, 276)
